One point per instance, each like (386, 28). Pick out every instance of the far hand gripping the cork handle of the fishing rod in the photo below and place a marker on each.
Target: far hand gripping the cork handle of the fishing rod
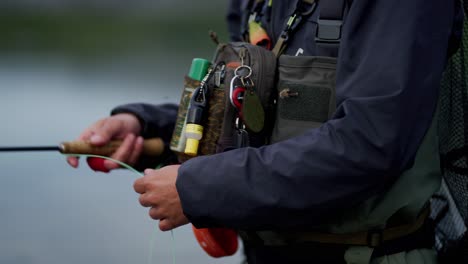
(120, 126)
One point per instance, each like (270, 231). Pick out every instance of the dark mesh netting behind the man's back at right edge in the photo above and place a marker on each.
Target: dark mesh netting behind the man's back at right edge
(453, 126)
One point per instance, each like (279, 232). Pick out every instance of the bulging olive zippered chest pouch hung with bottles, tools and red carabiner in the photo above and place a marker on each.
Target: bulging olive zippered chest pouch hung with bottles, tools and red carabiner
(233, 103)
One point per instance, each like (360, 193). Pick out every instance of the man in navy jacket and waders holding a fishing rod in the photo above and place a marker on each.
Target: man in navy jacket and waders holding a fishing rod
(365, 173)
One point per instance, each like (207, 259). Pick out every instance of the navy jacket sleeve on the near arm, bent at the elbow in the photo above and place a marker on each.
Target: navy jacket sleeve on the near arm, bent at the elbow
(390, 65)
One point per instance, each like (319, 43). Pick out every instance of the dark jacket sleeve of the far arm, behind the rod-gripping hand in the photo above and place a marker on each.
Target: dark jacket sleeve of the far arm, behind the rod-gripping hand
(156, 121)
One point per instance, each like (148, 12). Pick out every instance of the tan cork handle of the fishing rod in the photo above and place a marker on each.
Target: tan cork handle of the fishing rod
(151, 147)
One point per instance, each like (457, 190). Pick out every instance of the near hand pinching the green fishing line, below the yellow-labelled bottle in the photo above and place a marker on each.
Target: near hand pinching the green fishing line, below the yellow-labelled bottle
(158, 191)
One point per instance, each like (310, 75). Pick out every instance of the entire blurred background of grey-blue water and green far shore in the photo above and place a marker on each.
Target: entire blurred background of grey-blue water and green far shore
(63, 65)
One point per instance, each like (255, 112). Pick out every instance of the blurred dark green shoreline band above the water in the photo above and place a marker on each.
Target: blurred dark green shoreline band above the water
(107, 32)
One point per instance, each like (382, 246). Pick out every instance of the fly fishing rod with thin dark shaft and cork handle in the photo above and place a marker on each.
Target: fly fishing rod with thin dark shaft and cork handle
(151, 147)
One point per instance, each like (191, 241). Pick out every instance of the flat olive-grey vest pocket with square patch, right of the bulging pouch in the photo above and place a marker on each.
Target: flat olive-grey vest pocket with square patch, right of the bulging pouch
(305, 94)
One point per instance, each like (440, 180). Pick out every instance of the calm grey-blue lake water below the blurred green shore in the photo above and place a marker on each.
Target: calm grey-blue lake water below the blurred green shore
(53, 214)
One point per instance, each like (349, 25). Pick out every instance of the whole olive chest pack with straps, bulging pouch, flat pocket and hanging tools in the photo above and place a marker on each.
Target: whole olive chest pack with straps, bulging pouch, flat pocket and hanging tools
(249, 95)
